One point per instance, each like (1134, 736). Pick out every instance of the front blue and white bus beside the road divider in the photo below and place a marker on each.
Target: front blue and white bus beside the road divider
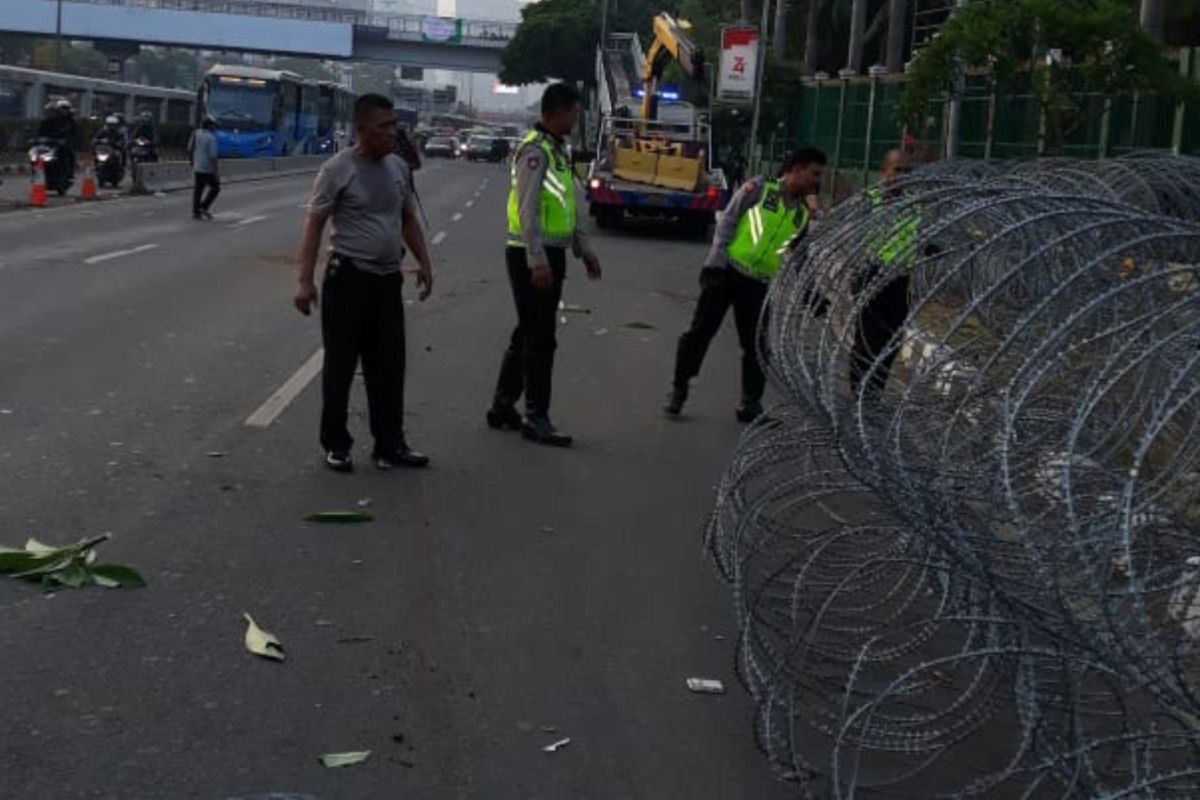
(261, 113)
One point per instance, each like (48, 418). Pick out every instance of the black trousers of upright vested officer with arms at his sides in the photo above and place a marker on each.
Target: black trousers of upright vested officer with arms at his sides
(529, 363)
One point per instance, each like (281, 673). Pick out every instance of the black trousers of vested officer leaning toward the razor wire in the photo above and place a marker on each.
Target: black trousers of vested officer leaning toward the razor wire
(724, 288)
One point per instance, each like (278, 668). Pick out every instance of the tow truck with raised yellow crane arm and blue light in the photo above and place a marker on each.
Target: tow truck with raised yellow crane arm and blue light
(653, 160)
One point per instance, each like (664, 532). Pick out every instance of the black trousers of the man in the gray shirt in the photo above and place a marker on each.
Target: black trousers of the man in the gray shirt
(363, 317)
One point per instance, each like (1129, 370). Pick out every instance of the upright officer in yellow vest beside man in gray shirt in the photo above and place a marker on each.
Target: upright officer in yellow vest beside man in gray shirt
(543, 224)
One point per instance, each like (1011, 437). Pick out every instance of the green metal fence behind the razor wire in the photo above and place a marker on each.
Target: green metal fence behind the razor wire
(855, 122)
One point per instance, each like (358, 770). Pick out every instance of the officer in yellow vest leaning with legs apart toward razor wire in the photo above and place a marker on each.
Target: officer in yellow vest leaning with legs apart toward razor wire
(763, 221)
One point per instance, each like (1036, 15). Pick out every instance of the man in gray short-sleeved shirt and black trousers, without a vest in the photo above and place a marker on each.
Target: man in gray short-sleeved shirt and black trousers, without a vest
(368, 191)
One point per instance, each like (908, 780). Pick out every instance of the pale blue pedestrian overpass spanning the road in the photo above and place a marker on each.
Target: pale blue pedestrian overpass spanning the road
(247, 26)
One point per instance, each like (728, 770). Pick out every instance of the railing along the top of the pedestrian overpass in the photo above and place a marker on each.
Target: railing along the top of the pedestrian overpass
(399, 27)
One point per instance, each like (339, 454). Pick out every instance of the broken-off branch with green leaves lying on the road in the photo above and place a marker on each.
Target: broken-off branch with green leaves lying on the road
(73, 567)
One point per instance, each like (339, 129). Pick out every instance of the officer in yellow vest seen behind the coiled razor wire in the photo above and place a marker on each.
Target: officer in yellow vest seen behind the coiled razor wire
(895, 249)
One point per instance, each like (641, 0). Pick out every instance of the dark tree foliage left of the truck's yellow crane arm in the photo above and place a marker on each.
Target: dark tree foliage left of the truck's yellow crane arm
(556, 40)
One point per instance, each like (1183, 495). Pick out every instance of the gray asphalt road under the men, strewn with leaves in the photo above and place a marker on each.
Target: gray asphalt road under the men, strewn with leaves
(508, 598)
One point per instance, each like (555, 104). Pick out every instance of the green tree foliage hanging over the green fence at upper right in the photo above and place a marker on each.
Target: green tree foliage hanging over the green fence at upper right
(1064, 50)
